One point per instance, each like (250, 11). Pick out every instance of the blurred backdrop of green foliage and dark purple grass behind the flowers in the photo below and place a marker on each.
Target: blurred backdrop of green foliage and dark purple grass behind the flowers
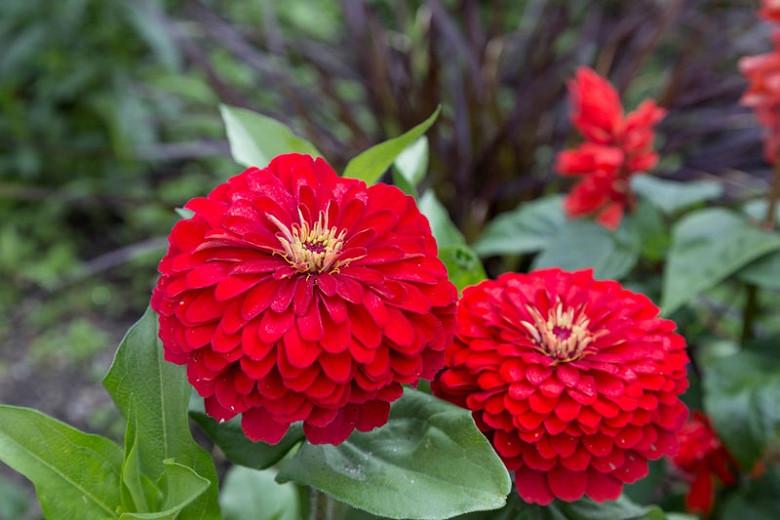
(109, 120)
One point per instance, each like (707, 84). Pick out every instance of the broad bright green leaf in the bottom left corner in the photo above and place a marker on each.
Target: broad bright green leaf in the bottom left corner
(76, 475)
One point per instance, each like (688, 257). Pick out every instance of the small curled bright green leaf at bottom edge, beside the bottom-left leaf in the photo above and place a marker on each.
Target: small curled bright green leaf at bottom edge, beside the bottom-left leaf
(180, 486)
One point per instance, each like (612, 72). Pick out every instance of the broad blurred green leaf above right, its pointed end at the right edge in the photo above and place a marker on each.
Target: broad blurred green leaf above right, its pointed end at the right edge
(707, 247)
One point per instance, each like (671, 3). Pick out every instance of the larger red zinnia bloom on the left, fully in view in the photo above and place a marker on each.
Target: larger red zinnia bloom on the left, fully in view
(295, 295)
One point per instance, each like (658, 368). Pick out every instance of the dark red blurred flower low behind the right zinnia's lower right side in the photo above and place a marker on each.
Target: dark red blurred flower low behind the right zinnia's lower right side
(702, 457)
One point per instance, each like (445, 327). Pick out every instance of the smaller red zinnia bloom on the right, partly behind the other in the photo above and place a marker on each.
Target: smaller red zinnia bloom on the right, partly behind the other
(574, 381)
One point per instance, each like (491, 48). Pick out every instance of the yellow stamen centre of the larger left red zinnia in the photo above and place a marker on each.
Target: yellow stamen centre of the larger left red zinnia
(310, 248)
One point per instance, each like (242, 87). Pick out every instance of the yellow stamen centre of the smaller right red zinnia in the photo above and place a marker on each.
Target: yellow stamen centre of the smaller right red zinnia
(564, 334)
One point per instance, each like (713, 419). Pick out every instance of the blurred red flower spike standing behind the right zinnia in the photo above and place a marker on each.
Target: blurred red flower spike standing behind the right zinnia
(616, 147)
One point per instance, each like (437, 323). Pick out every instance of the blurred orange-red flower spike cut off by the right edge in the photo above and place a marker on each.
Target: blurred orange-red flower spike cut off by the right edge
(763, 94)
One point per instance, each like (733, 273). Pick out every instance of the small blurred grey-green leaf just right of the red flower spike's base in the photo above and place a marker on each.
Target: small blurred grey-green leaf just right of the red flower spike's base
(671, 197)
